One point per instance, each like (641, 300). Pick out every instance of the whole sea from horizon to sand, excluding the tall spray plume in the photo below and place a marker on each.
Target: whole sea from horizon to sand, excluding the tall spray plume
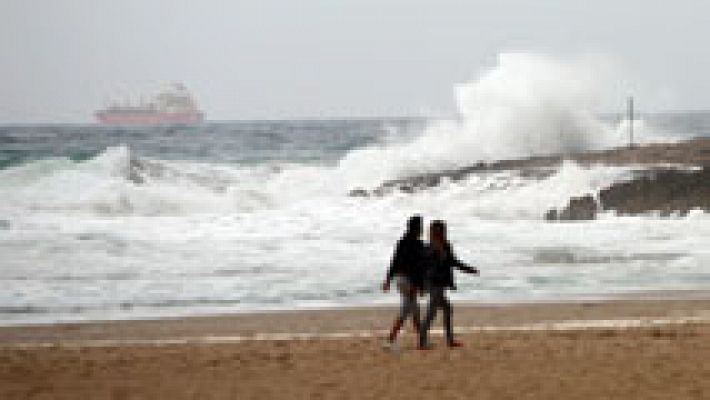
(132, 222)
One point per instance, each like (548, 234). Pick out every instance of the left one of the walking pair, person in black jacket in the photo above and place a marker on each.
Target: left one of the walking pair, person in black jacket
(407, 269)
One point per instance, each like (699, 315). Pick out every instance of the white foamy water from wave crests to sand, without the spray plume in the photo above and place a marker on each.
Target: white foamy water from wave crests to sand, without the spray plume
(218, 239)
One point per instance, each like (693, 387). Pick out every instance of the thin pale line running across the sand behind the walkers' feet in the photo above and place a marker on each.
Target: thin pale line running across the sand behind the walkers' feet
(566, 325)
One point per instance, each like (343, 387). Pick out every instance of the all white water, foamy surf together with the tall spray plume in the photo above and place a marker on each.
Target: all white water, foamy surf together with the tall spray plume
(121, 236)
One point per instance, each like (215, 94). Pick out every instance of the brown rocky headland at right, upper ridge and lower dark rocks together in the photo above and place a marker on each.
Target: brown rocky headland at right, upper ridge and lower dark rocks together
(670, 178)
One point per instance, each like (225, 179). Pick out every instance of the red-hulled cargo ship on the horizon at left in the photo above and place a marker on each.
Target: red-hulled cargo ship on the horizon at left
(174, 105)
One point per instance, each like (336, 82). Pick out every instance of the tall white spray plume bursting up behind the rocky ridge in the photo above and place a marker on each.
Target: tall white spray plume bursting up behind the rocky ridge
(528, 104)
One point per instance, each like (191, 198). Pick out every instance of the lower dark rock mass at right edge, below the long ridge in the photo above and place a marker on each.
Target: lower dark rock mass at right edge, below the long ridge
(666, 191)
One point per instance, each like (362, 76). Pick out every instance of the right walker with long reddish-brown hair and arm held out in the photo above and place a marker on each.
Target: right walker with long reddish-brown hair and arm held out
(439, 277)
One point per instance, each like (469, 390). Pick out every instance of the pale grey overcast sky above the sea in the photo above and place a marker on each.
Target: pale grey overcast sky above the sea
(261, 59)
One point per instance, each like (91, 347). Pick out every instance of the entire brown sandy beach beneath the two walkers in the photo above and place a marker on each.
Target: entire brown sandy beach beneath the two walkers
(338, 354)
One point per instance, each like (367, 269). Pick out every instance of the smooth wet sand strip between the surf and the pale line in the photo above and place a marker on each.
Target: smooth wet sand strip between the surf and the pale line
(370, 318)
